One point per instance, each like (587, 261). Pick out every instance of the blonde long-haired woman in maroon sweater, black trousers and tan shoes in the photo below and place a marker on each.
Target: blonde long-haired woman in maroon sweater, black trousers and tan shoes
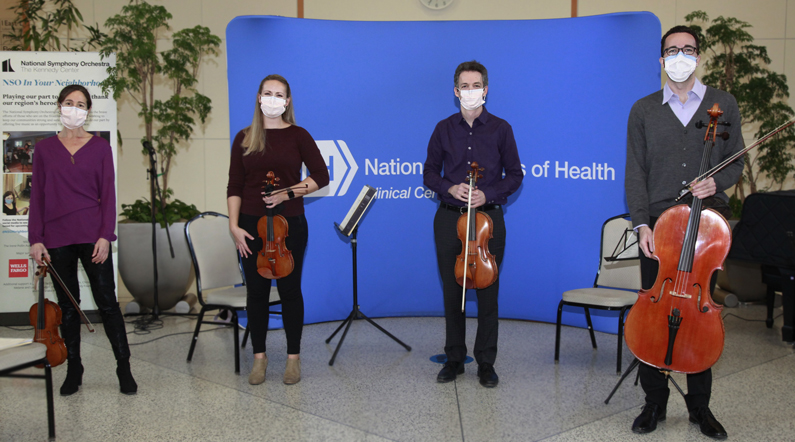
(274, 143)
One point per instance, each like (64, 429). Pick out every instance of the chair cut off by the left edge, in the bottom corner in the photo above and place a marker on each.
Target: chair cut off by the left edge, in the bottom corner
(24, 356)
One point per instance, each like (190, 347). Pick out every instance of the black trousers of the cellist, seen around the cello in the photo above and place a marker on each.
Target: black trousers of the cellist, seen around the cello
(654, 383)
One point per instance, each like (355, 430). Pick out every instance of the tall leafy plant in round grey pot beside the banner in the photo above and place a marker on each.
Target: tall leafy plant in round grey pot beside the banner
(168, 124)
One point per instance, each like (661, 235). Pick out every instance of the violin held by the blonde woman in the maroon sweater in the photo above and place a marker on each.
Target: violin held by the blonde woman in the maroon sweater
(274, 261)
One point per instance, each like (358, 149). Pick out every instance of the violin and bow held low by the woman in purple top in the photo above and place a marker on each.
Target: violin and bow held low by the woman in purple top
(45, 316)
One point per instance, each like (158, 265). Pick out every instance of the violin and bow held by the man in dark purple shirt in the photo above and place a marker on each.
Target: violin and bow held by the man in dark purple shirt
(475, 267)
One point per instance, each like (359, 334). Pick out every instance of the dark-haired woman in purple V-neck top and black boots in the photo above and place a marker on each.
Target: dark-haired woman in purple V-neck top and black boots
(73, 217)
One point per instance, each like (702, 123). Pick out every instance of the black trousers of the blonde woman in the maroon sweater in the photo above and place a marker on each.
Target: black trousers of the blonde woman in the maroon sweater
(258, 288)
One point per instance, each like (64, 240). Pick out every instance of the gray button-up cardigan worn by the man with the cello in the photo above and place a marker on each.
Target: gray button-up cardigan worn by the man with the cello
(663, 155)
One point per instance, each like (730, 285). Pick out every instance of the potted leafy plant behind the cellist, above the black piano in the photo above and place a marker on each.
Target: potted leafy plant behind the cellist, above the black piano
(734, 64)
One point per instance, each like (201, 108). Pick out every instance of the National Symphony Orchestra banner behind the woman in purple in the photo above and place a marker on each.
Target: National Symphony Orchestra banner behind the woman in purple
(29, 86)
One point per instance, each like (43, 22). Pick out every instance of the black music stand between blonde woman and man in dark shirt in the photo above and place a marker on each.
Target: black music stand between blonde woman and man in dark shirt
(357, 211)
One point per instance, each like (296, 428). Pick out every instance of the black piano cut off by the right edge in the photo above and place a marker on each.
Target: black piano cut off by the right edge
(766, 235)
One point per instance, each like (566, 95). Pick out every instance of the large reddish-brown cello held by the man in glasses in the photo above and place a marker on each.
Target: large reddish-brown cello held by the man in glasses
(675, 325)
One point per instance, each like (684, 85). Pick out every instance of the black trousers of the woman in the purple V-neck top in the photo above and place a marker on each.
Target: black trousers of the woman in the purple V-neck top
(103, 288)
